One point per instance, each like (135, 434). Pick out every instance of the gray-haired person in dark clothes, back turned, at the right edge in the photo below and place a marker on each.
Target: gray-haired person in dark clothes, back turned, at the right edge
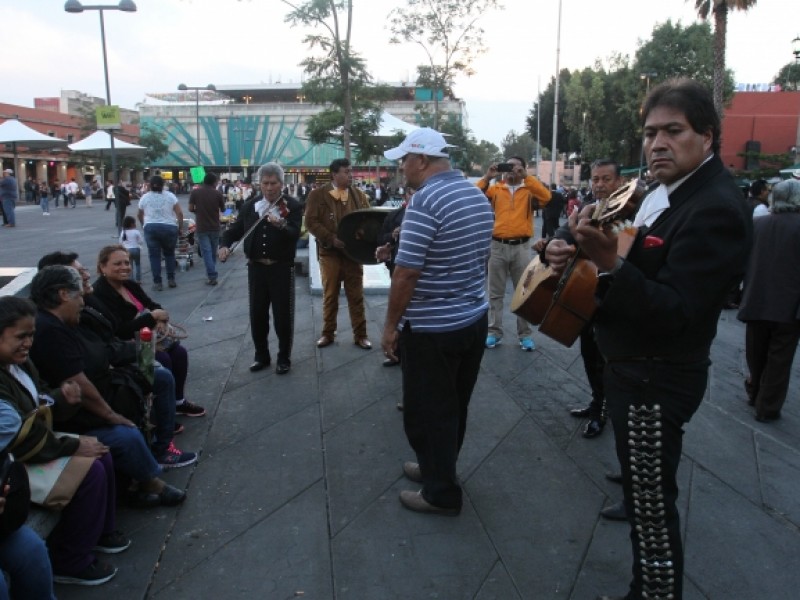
(771, 302)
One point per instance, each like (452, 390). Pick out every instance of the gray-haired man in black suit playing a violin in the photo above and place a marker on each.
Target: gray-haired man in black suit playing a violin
(268, 228)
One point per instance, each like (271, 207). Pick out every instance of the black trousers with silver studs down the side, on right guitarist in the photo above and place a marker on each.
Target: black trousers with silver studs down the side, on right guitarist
(649, 402)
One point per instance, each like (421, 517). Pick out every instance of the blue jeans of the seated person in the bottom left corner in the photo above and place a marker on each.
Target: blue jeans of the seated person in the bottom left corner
(23, 556)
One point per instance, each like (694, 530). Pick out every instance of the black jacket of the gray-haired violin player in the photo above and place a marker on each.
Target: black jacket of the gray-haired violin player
(279, 244)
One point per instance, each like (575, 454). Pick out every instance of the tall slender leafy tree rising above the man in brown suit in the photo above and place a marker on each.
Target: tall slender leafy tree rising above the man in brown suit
(338, 78)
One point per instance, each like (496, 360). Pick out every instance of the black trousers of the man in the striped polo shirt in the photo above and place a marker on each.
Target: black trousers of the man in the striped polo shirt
(439, 374)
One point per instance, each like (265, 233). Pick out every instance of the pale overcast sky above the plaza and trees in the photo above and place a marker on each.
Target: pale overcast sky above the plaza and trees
(233, 42)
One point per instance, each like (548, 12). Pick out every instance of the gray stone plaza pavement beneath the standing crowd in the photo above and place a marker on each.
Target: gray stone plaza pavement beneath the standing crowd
(295, 493)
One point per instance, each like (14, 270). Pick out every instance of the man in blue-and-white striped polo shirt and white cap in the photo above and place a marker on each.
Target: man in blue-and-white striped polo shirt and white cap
(437, 314)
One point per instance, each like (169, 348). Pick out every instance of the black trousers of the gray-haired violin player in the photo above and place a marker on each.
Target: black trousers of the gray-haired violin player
(271, 285)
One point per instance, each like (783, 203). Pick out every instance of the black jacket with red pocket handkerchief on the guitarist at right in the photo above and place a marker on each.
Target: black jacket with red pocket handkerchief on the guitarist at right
(666, 298)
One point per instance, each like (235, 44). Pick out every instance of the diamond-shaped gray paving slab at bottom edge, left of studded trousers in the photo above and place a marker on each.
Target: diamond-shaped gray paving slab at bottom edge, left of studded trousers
(537, 509)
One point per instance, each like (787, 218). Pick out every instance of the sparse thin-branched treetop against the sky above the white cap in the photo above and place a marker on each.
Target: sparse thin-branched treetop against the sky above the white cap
(449, 34)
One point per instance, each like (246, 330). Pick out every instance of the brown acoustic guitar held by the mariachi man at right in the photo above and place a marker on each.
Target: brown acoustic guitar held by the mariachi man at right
(562, 305)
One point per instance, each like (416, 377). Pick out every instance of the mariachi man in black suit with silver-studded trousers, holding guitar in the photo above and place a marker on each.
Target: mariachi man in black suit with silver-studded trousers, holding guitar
(657, 315)
